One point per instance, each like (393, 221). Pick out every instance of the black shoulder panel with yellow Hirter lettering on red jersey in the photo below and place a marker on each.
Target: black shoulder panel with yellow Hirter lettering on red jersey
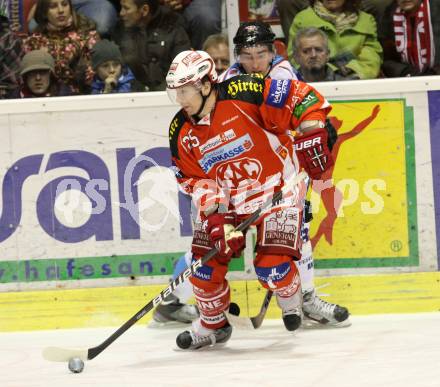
(247, 88)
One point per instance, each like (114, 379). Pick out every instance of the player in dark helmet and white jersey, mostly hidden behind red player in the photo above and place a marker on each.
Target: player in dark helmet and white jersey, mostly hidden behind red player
(255, 53)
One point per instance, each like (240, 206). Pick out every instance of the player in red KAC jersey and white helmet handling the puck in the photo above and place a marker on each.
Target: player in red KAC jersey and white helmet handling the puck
(232, 146)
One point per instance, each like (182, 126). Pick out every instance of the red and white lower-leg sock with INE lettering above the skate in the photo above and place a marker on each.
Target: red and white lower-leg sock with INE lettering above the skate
(212, 303)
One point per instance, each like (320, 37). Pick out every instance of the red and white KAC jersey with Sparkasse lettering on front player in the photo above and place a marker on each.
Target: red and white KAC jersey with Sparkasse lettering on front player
(244, 150)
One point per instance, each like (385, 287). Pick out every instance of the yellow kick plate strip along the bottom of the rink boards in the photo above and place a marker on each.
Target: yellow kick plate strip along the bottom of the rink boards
(99, 307)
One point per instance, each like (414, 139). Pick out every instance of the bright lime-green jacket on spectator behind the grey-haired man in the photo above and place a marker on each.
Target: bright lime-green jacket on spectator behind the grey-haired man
(357, 48)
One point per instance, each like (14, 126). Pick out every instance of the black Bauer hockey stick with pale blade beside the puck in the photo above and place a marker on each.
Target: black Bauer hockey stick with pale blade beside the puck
(65, 354)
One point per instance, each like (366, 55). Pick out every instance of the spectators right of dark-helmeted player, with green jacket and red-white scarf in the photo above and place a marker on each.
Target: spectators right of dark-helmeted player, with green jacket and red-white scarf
(368, 39)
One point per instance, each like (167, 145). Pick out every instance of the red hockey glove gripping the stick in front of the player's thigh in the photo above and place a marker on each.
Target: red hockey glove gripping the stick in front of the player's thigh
(221, 229)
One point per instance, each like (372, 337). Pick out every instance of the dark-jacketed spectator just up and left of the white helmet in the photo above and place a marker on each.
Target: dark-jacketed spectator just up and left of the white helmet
(149, 36)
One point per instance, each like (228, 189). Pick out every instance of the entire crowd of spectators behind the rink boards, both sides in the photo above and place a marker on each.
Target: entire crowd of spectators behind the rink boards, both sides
(68, 47)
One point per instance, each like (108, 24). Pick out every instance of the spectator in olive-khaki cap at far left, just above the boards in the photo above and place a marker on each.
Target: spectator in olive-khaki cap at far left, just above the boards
(37, 71)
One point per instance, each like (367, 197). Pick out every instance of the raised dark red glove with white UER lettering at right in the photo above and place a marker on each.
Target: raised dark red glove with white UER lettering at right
(313, 153)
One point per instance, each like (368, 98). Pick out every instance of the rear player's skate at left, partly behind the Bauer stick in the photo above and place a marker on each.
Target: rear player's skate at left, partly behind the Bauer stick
(173, 310)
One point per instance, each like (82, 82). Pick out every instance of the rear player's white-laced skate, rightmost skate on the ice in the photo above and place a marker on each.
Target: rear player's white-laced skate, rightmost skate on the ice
(323, 312)
